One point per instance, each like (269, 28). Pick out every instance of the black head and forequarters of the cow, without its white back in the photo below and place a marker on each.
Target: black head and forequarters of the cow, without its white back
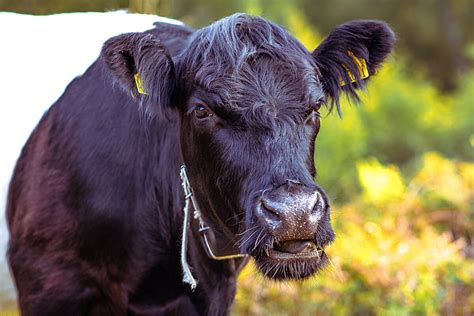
(95, 207)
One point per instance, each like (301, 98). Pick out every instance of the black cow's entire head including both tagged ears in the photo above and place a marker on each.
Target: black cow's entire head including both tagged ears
(248, 96)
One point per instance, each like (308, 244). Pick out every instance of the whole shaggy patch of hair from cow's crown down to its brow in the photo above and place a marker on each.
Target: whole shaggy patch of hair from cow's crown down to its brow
(249, 61)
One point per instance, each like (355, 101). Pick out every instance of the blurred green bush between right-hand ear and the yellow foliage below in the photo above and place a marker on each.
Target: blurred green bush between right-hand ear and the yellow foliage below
(401, 118)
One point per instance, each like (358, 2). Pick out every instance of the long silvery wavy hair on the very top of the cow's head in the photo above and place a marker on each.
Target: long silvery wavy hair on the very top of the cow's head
(230, 43)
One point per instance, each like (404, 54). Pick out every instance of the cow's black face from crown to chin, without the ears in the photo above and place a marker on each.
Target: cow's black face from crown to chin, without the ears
(248, 128)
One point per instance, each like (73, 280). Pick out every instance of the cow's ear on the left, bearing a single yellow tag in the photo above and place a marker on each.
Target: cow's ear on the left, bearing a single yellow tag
(143, 67)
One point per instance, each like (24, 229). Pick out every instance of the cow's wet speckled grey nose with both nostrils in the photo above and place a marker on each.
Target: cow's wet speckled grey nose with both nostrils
(291, 211)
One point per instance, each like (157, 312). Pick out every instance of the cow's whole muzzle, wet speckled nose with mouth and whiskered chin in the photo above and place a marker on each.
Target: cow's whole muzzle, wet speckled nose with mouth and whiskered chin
(295, 219)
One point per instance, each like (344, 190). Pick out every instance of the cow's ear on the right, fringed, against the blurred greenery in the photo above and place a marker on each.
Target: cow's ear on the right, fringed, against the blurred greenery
(351, 54)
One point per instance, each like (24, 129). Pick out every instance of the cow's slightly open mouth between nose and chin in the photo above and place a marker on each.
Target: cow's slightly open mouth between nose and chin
(293, 249)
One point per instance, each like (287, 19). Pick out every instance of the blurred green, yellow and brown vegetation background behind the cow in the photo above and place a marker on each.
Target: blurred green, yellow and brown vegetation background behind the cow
(398, 167)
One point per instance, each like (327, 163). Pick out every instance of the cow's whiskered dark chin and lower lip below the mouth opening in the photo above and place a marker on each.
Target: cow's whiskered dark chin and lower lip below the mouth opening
(280, 266)
